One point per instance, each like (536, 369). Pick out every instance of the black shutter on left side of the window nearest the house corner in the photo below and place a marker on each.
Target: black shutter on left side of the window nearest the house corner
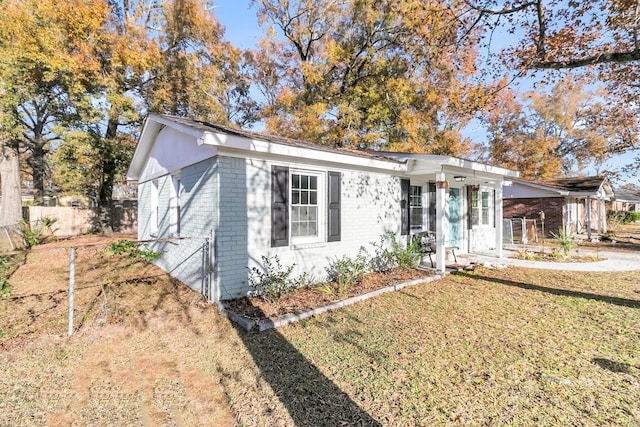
(279, 206)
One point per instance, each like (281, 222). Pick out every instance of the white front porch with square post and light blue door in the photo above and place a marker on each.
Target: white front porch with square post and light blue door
(457, 202)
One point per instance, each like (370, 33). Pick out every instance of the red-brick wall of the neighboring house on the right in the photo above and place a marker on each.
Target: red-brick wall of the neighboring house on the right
(529, 208)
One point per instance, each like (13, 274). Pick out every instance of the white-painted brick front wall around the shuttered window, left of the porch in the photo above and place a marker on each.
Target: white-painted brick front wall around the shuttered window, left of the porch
(369, 208)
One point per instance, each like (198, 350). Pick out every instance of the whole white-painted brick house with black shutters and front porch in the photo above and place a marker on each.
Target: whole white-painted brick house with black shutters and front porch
(216, 200)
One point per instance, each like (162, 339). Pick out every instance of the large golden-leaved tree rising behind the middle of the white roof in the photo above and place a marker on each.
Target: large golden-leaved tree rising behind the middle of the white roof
(377, 74)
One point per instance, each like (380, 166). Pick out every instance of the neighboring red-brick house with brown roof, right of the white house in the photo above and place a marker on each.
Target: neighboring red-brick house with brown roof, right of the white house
(574, 205)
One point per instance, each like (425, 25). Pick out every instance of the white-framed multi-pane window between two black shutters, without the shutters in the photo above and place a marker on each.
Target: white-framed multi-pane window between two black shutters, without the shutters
(304, 205)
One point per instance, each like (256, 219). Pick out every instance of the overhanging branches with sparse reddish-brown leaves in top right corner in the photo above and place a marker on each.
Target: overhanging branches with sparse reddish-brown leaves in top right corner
(598, 38)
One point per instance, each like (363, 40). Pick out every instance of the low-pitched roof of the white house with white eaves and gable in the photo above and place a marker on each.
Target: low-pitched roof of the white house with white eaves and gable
(208, 139)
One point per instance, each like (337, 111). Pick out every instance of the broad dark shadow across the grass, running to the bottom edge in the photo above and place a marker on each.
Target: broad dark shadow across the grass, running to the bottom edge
(309, 396)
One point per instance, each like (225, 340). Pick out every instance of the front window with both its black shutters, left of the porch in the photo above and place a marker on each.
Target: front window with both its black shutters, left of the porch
(305, 206)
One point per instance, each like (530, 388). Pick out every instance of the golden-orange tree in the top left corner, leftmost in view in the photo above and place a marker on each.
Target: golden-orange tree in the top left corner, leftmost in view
(46, 61)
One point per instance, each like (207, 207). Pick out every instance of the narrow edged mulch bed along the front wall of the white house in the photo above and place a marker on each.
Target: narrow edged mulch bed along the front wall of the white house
(307, 298)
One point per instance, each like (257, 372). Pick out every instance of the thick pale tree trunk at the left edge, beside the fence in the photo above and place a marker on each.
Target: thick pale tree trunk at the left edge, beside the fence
(11, 206)
